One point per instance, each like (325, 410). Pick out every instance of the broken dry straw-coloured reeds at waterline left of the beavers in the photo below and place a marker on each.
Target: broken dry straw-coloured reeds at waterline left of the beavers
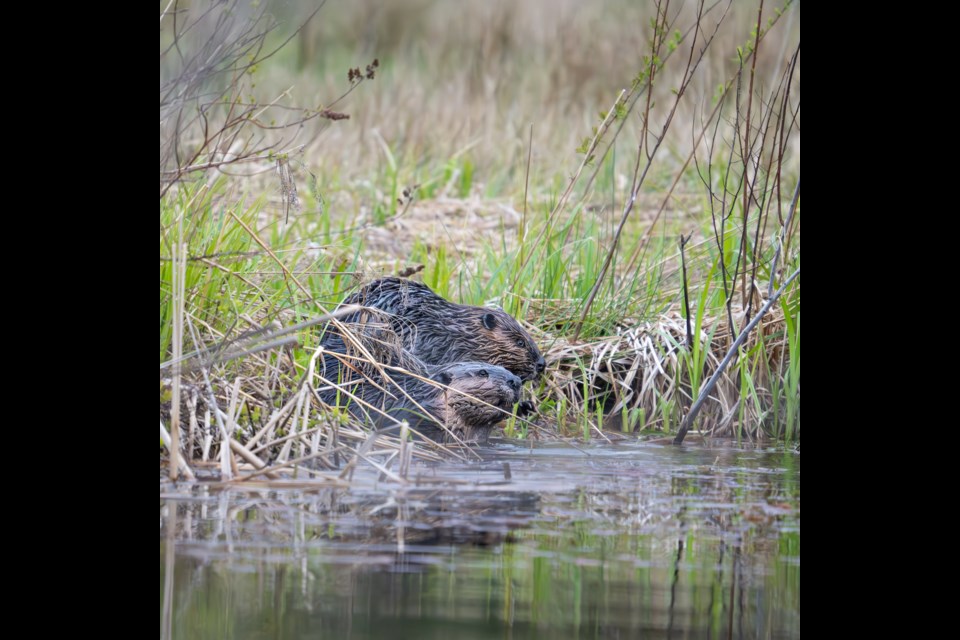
(271, 411)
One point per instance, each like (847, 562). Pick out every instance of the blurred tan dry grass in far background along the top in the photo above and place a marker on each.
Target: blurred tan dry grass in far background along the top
(464, 81)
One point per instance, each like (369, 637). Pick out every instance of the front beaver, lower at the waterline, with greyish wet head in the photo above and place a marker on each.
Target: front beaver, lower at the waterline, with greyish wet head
(479, 396)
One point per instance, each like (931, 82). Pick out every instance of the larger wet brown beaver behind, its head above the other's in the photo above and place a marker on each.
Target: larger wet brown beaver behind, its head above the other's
(438, 331)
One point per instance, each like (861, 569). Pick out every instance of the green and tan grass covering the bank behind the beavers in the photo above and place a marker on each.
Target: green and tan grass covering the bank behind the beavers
(430, 174)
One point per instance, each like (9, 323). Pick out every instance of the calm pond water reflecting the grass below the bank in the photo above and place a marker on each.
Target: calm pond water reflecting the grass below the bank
(599, 541)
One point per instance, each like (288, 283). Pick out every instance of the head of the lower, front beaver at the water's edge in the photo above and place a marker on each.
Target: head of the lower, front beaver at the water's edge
(479, 395)
